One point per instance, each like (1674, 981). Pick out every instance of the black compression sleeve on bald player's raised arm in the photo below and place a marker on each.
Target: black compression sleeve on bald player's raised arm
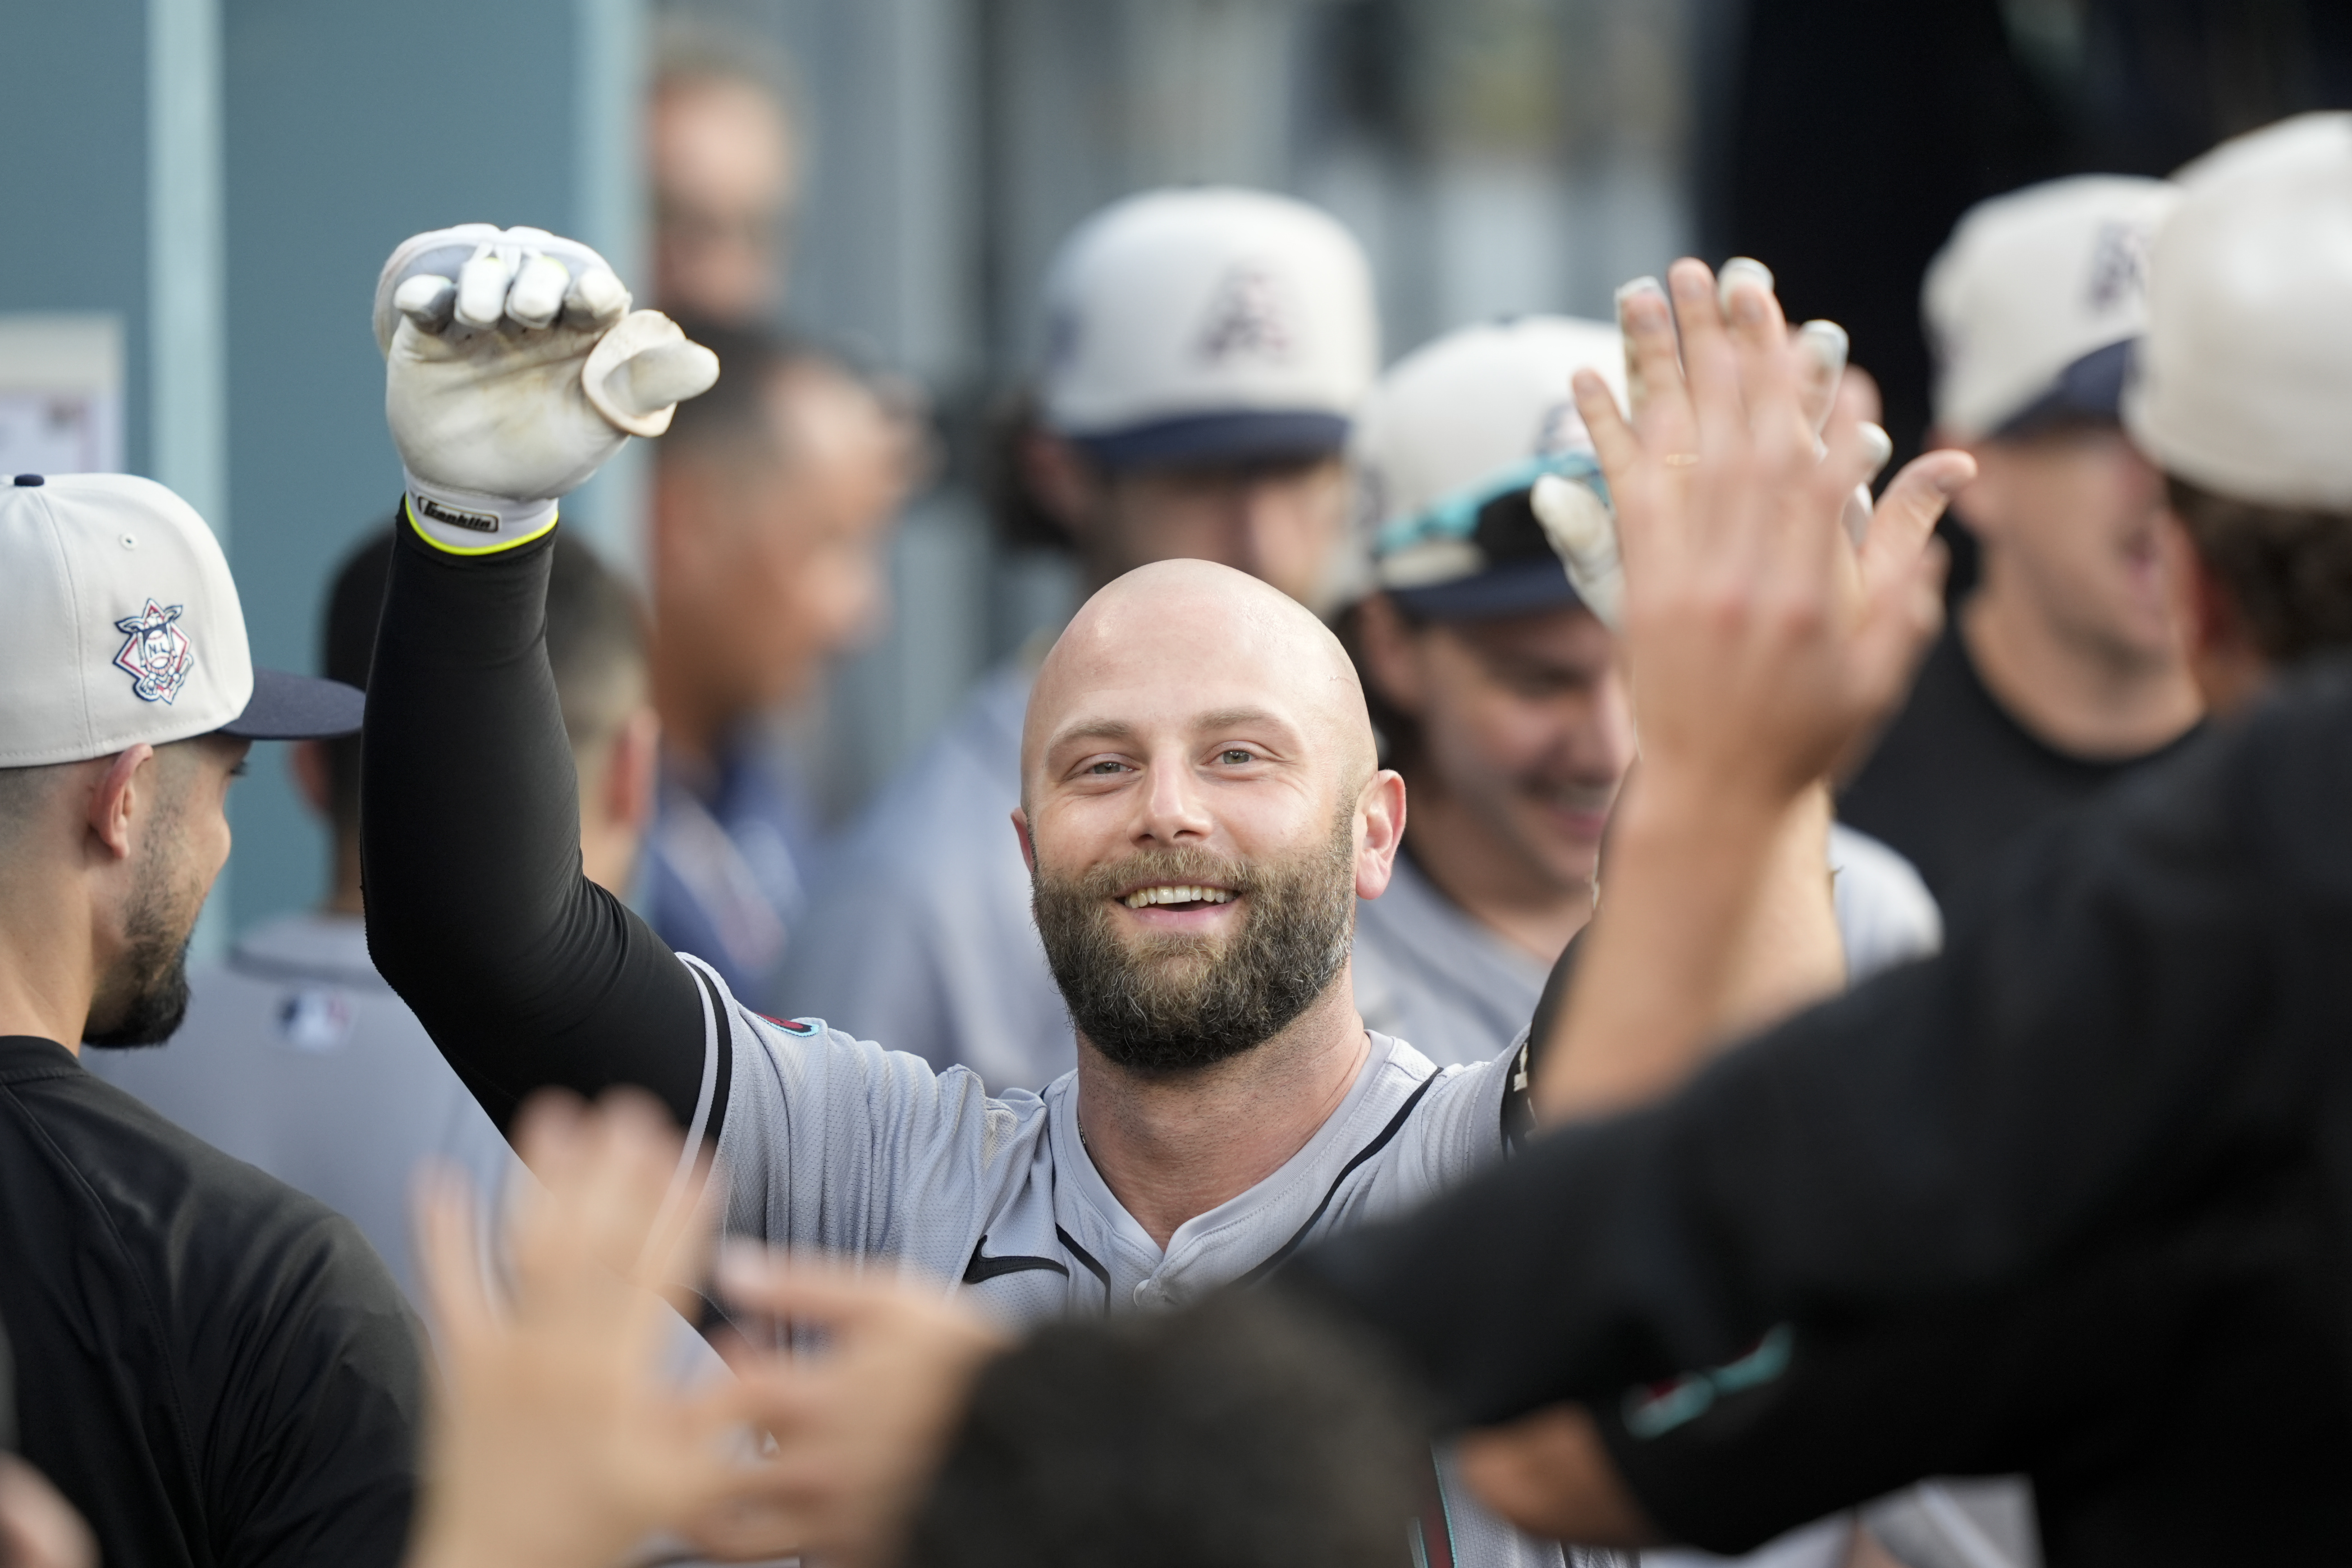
(523, 972)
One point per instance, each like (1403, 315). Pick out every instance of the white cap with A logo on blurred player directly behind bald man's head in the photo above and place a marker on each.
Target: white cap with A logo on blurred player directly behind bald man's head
(1208, 326)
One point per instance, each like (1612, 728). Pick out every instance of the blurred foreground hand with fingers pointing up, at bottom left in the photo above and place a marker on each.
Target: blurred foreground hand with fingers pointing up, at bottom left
(556, 1435)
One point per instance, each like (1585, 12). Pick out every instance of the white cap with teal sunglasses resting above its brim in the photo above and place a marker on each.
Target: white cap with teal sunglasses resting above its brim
(1450, 445)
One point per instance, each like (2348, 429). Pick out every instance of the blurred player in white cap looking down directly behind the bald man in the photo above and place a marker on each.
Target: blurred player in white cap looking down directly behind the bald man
(1205, 354)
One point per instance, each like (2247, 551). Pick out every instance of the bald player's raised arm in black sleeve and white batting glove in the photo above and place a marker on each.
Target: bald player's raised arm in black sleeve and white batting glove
(523, 972)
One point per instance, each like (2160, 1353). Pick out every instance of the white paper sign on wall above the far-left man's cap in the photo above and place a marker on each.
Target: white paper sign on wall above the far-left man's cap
(60, 394)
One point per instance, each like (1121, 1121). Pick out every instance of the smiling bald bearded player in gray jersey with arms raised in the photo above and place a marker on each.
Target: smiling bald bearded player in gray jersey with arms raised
(1201, 810)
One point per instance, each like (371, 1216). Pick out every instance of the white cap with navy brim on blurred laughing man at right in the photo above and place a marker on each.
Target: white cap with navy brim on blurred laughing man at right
(2036, 300)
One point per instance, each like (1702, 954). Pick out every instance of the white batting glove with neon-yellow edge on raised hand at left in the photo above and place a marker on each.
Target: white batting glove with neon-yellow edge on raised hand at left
(512, 373)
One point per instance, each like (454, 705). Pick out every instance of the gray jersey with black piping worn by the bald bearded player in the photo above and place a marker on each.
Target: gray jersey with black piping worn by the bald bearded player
(836, 1144)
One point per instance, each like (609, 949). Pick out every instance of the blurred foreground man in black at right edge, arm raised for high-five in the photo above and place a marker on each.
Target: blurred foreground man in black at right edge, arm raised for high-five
(1963, 1214)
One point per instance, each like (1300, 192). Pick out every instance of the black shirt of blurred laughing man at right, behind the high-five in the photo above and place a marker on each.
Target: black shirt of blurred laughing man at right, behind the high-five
(1956, 779)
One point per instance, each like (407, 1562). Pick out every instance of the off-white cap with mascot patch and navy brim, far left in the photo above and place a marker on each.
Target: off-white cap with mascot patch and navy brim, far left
(121, 626)
